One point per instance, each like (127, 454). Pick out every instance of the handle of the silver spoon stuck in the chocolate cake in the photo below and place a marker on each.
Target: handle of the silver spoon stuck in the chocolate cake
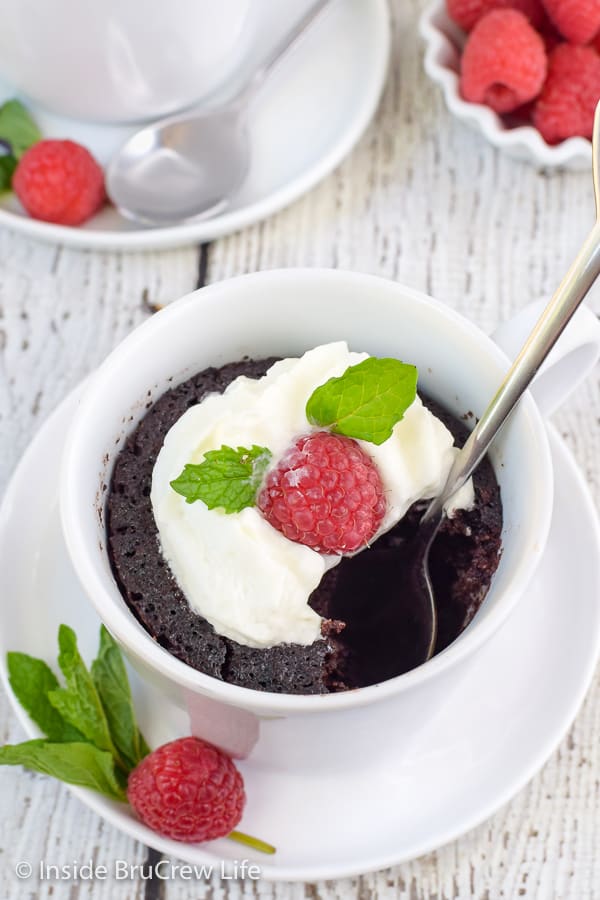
(568, 296)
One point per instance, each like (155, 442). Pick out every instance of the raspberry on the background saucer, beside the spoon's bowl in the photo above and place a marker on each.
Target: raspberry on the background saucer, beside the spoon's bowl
(59, 181)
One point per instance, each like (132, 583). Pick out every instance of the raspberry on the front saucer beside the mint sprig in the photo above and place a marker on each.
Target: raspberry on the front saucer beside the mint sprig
(187, 790)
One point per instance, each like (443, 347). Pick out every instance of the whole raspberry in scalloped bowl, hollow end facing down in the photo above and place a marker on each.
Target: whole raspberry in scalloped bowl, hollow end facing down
(504, 62)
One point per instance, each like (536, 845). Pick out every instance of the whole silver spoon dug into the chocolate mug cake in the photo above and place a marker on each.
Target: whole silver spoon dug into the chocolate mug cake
(388, 639)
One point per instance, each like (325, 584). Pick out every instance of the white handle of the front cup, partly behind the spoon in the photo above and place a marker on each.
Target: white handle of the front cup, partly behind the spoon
(571, 360)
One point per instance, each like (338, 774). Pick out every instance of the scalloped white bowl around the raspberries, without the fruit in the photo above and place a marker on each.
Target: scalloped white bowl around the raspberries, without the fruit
(443, 45)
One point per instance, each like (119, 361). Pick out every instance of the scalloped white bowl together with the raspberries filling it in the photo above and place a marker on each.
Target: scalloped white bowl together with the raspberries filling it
(519, 67)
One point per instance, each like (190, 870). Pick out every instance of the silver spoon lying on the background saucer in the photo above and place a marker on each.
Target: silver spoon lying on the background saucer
(189, 166)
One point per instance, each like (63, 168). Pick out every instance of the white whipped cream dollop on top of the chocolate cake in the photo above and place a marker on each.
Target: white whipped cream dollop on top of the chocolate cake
(248, 580)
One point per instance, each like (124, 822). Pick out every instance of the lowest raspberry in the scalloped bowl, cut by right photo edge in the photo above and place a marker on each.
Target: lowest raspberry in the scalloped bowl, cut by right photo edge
(566, 106)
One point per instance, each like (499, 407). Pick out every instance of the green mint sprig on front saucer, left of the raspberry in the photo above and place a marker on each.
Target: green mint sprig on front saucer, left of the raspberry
(92, 736)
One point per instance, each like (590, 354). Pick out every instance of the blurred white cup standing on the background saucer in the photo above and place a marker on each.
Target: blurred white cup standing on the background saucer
(121, 60)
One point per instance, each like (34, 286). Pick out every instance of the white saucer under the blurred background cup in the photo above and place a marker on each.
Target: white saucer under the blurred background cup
(305, 121)
